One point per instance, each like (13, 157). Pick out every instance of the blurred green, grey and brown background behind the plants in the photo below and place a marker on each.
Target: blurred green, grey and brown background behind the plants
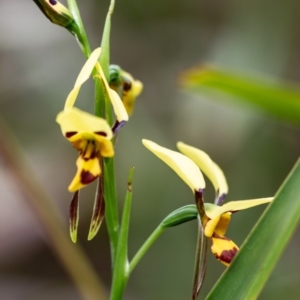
(154, 40)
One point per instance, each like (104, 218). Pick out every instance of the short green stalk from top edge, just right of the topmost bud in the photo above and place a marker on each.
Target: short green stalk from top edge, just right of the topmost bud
(81, 36)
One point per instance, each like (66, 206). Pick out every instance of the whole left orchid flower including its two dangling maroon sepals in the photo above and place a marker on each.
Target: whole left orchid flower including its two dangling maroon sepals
(91, 136)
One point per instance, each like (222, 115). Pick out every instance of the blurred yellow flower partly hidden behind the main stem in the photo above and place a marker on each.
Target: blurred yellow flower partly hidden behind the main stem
(129, 87)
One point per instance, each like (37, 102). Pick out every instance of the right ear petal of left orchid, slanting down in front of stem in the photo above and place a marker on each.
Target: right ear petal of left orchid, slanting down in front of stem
(116, 102)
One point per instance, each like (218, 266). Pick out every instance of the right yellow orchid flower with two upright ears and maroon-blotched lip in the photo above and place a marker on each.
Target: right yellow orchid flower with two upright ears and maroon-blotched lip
(215, 218)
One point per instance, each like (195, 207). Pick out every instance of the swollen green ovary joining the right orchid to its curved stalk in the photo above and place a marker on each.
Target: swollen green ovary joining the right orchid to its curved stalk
(180, 215)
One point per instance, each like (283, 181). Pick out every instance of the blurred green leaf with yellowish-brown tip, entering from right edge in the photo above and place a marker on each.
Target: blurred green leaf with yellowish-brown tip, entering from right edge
(279, 99)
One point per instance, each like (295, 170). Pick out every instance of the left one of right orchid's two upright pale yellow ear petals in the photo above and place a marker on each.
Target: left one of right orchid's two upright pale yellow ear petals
(182, 165)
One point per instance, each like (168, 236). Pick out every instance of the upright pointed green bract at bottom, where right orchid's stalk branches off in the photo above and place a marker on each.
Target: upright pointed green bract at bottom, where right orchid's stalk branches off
(120, 275)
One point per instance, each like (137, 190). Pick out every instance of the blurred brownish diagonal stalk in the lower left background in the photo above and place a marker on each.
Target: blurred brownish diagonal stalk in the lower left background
(71, 255)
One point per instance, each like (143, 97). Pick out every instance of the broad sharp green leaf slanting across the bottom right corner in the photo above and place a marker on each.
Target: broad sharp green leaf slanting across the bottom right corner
(250, 269)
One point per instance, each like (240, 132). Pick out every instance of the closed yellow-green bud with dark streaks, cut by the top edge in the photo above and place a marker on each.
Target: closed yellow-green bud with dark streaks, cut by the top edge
(55, 12)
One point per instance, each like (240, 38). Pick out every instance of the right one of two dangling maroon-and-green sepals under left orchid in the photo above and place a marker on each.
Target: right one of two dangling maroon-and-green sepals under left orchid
(98, 210)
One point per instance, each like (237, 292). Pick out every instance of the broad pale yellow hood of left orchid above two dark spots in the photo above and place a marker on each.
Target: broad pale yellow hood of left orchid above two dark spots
(75, 120)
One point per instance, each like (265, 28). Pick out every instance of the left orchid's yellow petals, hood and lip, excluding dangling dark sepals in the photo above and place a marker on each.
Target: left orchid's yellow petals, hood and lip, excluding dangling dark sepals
(90, 135)
